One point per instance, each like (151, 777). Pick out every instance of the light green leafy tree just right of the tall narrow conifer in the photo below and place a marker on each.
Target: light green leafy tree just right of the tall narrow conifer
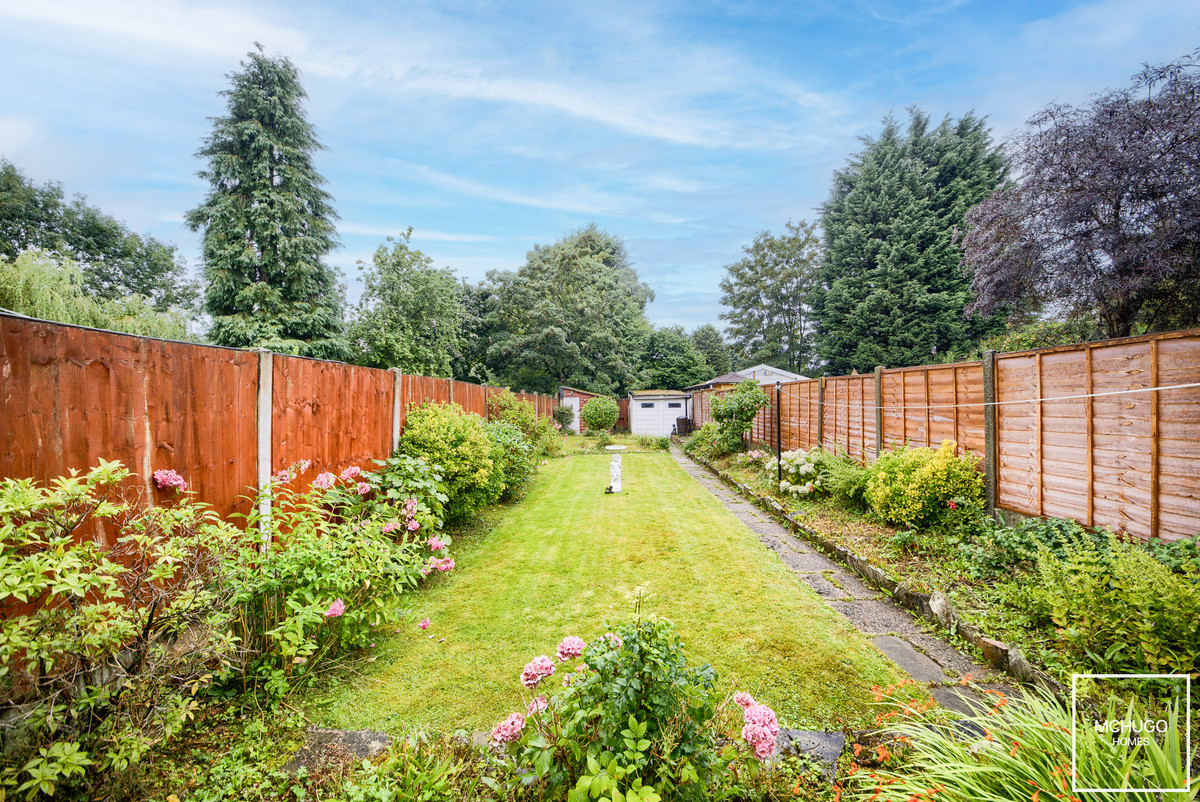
(410, 315)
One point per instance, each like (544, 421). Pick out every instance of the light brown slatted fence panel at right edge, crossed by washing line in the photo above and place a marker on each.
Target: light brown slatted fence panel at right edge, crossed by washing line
(1102, 447)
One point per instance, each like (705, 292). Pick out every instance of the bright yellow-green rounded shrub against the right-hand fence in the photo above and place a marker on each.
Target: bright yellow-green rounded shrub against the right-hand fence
(922, 488)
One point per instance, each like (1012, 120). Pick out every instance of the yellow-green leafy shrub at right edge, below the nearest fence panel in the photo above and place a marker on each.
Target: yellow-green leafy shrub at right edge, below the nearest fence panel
(1120, 609)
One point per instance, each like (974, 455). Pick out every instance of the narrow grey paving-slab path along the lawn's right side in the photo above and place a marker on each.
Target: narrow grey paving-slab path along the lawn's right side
(892, 629)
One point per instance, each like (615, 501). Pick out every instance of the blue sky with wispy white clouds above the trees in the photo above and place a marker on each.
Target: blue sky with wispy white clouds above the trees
(685, 128)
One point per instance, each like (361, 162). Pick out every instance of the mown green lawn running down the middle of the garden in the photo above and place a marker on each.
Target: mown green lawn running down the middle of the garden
(565, 562)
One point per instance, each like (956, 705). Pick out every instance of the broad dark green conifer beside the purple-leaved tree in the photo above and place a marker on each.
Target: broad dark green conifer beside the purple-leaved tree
(890, 289)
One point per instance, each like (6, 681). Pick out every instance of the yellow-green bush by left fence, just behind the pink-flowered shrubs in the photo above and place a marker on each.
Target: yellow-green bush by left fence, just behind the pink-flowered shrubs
(455, 442)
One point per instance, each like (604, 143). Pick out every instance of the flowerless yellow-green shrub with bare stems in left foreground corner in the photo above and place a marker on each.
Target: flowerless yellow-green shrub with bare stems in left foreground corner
(103, 651)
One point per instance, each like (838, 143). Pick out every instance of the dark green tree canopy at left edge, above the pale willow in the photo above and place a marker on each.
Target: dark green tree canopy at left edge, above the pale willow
(115, 262)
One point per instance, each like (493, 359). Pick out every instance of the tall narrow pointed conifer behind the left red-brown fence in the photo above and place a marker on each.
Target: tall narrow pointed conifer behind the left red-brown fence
(268, 224)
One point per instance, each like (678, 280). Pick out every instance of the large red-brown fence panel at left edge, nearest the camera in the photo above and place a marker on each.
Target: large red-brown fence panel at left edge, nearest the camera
(70, 397)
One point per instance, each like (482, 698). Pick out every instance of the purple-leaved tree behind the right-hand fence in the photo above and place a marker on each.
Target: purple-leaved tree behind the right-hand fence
(1105, 225)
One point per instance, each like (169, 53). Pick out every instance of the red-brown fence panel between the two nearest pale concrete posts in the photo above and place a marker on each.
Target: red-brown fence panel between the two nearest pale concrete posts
(334, 415)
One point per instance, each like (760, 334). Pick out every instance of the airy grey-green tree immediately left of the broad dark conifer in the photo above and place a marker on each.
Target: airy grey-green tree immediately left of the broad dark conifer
(765, 295)
